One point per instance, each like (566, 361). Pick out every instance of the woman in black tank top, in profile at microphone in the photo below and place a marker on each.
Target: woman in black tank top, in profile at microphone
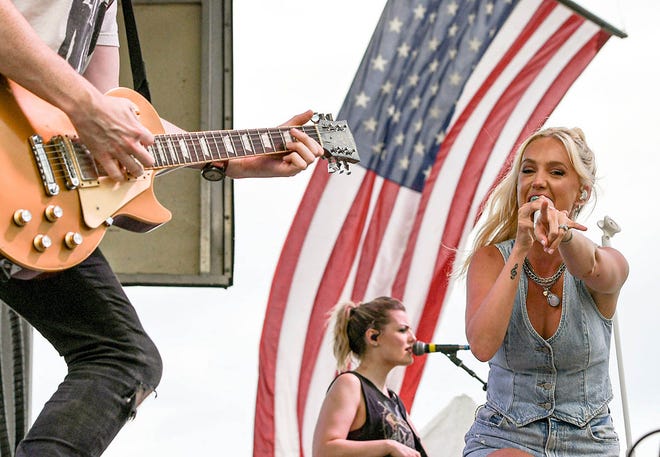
(360, 416)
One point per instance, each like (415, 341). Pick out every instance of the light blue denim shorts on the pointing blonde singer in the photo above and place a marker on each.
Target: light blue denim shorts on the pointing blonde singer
(548, 437)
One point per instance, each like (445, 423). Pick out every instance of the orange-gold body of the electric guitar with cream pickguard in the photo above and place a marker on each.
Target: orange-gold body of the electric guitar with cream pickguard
(86, 210)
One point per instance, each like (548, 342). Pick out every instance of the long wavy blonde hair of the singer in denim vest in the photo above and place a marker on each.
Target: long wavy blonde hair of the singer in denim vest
(501, 209)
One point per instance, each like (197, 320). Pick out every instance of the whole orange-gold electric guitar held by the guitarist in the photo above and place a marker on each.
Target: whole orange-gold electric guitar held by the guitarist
(57, 204)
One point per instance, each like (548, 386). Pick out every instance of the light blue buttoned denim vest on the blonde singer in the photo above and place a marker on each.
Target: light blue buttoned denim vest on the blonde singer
(565, 377)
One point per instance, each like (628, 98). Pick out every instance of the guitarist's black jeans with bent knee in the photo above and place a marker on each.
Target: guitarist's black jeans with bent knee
(85, 314)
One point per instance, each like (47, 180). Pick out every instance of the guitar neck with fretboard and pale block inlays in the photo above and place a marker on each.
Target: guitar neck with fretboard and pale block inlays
(183, 149)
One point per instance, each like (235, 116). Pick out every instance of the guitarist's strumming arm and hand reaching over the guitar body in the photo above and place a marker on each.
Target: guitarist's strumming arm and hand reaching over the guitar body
(106, 125)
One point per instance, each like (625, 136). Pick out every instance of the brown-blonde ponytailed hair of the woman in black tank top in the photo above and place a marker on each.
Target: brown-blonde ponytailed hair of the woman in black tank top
(352, 322)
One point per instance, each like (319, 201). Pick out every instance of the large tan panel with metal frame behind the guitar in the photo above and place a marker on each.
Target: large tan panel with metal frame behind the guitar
(187, 50)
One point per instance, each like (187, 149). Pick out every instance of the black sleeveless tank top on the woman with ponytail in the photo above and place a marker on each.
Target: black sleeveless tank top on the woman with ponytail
(386, 417)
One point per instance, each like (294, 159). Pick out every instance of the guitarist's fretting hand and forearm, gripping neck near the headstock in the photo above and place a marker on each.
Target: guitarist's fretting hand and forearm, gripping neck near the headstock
(304, 151)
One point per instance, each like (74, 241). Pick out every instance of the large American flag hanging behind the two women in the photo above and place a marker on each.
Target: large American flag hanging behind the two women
(445, 92)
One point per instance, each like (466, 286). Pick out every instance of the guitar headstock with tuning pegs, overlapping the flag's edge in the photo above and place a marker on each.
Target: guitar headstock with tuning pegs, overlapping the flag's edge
(337, 142)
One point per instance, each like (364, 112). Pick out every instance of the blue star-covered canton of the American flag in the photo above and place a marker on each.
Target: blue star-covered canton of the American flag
(404, 93)
